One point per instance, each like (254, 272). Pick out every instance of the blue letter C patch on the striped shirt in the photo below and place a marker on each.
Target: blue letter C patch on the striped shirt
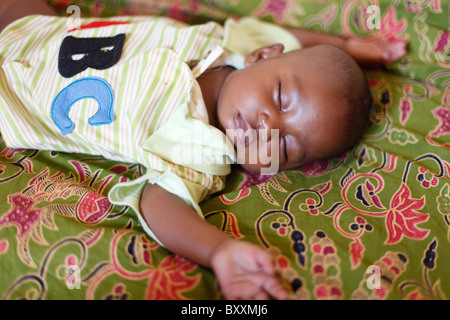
(89, 87)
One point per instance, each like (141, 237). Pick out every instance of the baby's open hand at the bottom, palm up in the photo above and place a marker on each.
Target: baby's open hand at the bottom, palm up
(245, 271)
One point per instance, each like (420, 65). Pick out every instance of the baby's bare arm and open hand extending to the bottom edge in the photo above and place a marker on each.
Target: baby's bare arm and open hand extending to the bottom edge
(243, 270)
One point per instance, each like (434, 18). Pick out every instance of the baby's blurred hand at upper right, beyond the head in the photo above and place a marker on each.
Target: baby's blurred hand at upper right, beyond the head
(376, 50)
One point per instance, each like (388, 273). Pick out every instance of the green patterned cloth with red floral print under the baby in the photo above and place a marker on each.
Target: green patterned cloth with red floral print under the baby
(376, 216)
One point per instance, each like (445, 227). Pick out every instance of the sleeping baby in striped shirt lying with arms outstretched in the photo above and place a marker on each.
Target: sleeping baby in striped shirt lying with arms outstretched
(185, 102)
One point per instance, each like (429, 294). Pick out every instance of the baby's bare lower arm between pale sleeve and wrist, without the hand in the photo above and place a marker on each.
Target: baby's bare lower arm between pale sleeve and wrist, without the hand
(178, 226)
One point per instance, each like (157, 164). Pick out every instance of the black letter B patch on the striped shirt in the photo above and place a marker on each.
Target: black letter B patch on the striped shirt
(78, 54)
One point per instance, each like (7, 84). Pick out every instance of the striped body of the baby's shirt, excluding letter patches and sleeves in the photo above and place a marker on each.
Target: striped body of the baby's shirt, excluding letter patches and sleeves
(149, 82)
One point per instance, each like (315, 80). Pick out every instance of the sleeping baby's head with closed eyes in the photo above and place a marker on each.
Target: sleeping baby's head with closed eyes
(314, 104)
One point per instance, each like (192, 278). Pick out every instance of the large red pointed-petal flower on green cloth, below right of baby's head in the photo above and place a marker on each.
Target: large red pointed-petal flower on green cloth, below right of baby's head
(402, 218)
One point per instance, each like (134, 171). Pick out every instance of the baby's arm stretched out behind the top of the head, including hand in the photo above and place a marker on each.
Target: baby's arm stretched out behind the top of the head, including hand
(364, 51)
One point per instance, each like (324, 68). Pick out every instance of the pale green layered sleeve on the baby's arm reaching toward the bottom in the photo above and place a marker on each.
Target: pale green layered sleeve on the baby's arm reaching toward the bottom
(181, 134)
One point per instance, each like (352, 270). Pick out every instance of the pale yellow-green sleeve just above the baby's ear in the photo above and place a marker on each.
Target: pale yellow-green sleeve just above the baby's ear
(248, 34)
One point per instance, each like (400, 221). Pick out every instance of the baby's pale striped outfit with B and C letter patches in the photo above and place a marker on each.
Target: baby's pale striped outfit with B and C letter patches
(124, 88)
